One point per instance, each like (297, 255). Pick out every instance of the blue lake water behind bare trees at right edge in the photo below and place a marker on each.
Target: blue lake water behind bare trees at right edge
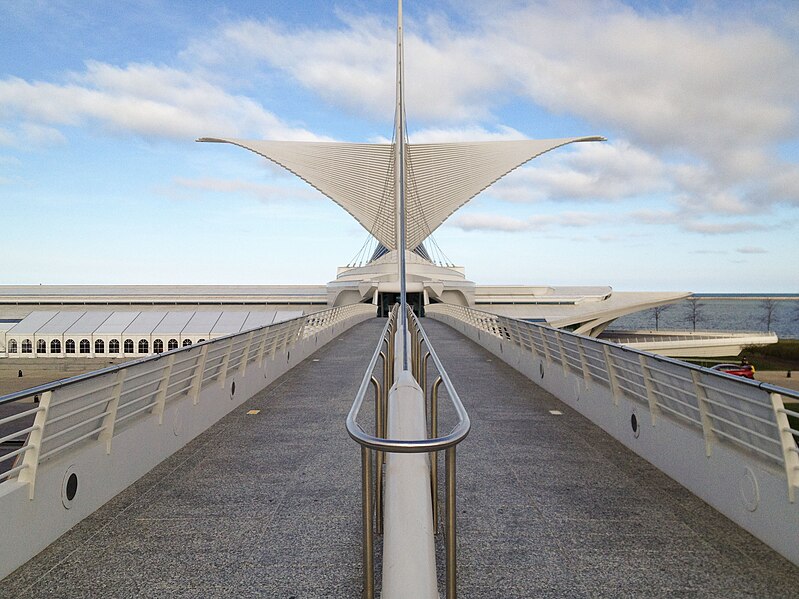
(723, 313)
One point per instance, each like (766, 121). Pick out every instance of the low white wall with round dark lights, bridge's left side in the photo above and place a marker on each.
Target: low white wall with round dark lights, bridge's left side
(33, 517)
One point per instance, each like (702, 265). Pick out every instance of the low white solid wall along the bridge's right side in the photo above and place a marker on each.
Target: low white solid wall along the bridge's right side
(754, 493)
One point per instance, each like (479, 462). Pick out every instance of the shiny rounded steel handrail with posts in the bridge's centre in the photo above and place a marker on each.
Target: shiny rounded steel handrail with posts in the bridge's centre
(372, 493)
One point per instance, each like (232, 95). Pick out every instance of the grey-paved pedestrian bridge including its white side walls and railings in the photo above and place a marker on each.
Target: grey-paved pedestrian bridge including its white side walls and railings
(267, 501)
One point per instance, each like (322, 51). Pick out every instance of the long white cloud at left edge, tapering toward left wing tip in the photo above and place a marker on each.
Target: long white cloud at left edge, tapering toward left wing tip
(151, 101)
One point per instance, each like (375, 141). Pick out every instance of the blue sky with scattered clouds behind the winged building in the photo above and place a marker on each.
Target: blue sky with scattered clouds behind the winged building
(696, 189)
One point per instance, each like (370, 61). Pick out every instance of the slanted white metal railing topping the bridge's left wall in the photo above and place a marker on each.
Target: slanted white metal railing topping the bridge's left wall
(95, 406)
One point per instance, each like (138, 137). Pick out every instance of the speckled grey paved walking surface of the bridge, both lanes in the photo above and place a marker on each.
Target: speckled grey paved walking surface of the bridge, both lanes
(268, 505)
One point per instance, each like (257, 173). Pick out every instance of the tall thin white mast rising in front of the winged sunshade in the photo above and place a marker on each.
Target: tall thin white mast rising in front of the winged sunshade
(399, 183)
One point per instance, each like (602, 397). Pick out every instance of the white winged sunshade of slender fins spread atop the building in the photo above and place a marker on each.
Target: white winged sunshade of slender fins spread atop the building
(441, 177)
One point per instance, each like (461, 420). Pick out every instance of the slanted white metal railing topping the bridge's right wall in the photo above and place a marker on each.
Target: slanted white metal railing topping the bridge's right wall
(749, 415)
